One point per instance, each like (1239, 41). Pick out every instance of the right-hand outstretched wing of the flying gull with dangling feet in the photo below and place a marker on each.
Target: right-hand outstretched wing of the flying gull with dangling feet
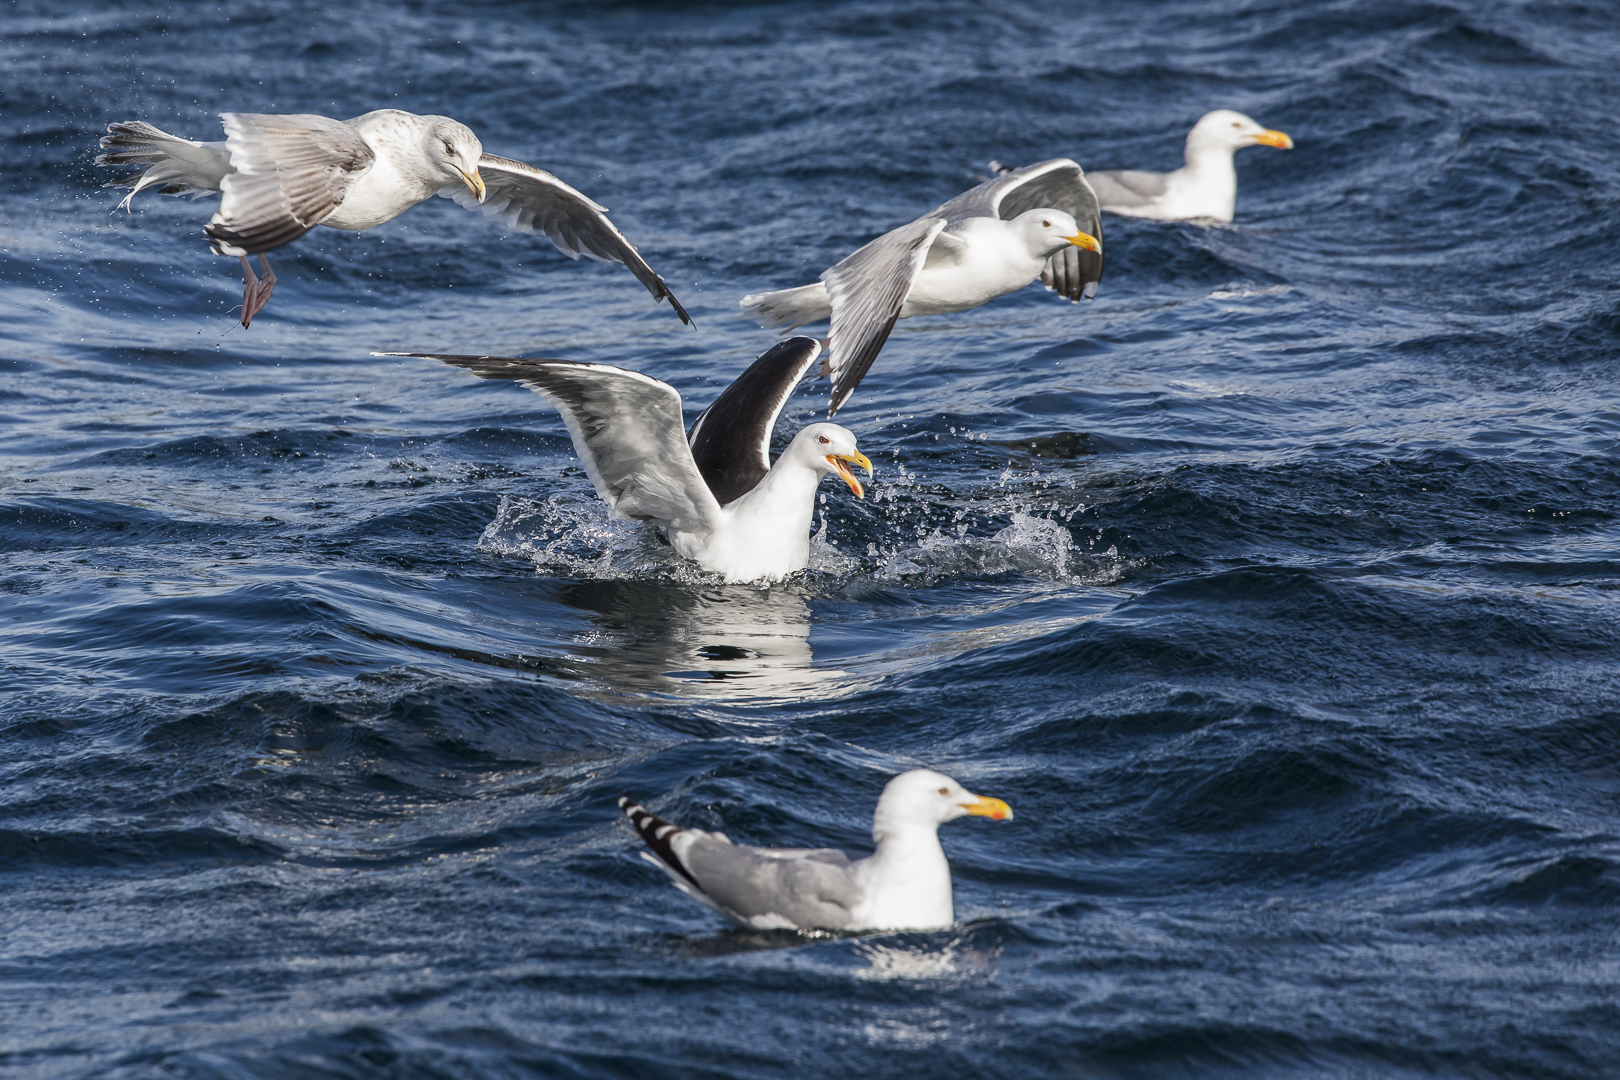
(534, 202)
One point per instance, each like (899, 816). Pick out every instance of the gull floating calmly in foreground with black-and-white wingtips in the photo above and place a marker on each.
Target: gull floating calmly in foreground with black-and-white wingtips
(905, 885)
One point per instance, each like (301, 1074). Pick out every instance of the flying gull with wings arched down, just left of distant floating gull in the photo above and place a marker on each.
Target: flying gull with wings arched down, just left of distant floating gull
(981, 245)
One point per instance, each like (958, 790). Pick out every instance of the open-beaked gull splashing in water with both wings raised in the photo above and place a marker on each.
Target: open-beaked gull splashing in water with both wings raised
(715, 490)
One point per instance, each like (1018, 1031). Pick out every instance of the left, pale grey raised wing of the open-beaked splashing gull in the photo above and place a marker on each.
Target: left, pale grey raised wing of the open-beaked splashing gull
(626, 428)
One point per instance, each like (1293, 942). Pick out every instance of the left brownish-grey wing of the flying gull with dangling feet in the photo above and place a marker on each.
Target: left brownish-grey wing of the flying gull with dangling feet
(289, 172)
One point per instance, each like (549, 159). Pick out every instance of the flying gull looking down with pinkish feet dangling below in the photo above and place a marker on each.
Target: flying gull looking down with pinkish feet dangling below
(284, 174)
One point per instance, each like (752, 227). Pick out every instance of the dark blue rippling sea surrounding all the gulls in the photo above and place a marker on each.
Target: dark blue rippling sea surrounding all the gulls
(1277, 589)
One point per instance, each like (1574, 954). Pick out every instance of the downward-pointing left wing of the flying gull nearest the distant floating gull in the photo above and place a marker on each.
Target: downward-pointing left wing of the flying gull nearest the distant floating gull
(869, 289)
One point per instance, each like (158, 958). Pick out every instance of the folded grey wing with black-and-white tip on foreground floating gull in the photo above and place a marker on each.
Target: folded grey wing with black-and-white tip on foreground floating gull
(752, 887)
